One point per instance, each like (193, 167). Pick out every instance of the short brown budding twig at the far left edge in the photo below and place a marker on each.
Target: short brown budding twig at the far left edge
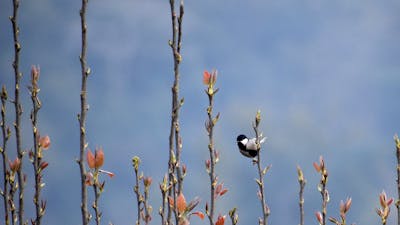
(6, 135)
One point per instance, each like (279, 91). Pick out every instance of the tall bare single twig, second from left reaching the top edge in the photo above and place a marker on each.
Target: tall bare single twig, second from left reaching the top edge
(85, 70)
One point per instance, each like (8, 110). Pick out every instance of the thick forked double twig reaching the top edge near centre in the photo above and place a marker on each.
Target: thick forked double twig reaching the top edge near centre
(175, 140)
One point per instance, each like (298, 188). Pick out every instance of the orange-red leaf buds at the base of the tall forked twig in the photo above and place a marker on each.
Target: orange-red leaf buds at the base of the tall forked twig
(184, 210)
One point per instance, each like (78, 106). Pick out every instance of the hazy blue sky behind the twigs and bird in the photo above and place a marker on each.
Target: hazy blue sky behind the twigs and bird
(325, 76)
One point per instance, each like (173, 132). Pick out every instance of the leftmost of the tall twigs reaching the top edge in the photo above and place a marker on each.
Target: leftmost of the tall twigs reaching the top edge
(18, 109)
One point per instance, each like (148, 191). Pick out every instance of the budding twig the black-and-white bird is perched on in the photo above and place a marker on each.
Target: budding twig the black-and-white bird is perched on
(261, 173)
